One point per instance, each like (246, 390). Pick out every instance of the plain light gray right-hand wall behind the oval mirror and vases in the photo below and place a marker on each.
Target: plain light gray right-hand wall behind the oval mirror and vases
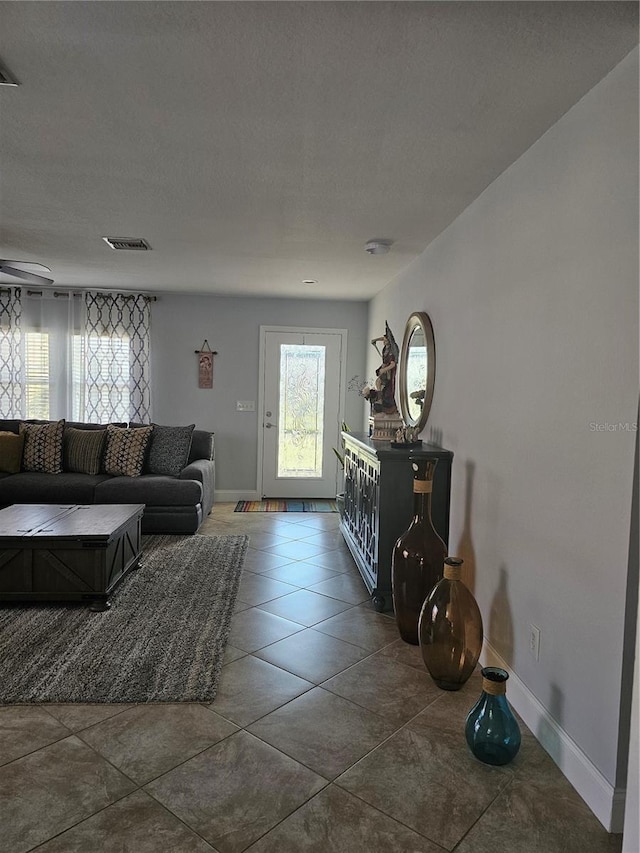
(533, 294)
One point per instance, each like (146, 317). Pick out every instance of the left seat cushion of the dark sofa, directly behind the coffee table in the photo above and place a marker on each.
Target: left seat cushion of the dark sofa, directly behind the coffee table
(35, 487)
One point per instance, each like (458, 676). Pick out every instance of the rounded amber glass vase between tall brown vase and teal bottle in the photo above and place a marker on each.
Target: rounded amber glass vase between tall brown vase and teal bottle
(450, 629)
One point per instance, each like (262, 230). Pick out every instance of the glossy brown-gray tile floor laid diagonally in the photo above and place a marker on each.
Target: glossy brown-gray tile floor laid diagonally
(327, 734)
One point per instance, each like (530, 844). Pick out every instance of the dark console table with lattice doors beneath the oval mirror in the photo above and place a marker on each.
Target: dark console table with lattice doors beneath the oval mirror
(378, 505)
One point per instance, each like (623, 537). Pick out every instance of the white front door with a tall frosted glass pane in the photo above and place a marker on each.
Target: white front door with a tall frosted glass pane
(302, 398)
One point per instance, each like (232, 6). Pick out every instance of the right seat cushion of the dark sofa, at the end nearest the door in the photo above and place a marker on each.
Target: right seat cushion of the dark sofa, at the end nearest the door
(150, 489)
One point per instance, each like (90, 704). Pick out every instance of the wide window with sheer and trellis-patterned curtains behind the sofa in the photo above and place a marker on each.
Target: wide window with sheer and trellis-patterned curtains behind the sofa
(83, 358)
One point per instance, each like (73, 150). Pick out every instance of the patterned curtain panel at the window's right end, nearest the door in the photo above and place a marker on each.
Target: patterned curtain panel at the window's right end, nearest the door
(116, 357)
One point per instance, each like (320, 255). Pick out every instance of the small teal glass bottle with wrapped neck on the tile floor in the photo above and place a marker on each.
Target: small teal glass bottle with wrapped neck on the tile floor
(492, 731)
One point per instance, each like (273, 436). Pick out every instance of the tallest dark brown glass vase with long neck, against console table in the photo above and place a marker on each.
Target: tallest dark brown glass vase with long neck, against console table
(418, 555)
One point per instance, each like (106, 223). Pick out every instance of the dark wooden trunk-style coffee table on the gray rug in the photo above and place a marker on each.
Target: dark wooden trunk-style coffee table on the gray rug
(67, 553)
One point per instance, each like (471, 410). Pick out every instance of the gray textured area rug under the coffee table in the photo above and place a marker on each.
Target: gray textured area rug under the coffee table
(163, 639)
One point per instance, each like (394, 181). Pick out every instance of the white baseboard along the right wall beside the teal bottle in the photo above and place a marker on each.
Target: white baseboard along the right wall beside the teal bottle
(605, 801)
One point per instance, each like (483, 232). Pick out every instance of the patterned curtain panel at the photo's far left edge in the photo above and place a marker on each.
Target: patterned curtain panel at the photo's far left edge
(11, 379)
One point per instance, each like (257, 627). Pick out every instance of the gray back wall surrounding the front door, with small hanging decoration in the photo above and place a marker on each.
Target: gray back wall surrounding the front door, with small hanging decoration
(232, 327)
